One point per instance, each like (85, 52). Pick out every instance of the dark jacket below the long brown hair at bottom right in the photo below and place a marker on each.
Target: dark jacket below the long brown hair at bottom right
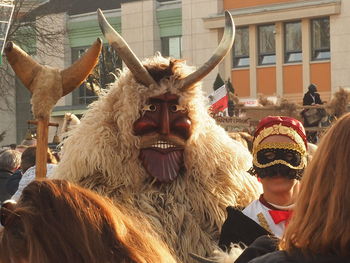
(297, 257)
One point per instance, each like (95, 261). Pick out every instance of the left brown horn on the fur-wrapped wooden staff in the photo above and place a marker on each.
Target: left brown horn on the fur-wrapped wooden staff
(22, 64)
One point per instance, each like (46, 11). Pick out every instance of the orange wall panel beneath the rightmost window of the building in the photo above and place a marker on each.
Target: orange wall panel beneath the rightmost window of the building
(320, 74)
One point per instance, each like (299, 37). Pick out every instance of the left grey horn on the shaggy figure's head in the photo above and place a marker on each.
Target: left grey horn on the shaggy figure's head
(130, 59)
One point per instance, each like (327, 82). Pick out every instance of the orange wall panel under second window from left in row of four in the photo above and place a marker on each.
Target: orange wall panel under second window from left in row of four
(266, 81)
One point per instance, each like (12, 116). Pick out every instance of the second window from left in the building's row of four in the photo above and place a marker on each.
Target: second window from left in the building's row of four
(267, 50)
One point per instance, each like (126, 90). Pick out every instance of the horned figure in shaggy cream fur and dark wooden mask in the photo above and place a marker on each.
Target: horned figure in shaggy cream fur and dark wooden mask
(150, 145)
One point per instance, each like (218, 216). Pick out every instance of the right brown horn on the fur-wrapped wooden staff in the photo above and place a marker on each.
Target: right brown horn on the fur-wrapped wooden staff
(78, 72)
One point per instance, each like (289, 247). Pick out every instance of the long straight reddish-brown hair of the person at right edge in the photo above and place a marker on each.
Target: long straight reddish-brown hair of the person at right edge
(321, 220)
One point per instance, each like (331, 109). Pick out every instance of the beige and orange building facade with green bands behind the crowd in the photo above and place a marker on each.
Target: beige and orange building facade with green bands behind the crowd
(281, 46)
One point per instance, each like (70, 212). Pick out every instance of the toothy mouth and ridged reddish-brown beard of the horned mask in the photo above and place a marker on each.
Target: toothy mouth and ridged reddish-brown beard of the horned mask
(163, 158)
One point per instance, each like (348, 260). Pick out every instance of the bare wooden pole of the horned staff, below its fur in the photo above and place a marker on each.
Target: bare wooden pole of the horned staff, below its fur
(41, 147)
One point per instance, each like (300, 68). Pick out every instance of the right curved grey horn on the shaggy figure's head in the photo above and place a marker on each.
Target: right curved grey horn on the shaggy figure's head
(220, 52)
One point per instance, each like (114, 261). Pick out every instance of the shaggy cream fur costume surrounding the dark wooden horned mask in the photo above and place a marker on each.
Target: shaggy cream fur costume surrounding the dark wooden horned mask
(102, 153)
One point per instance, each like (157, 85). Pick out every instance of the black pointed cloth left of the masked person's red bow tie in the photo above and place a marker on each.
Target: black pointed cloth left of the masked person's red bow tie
(239, 228)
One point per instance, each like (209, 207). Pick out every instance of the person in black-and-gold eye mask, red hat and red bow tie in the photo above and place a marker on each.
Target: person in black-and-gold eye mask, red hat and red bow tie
(279, 159)
